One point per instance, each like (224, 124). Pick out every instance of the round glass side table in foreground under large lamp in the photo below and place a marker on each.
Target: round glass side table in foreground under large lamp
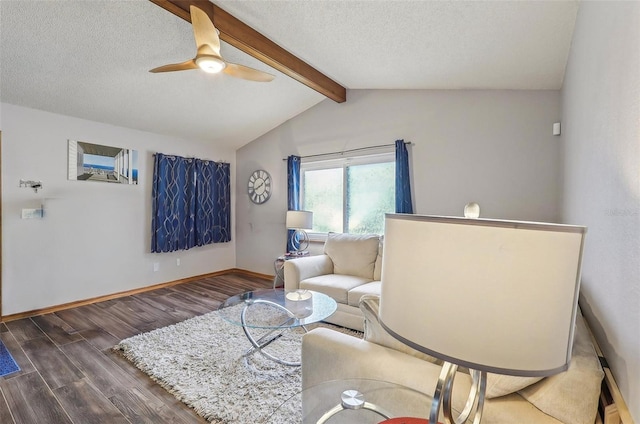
(353, 401)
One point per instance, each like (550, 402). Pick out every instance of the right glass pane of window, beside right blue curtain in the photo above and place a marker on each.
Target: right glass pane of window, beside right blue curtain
(370, 194)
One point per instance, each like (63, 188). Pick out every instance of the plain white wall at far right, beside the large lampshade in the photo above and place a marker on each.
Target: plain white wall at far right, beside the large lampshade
(601, 138)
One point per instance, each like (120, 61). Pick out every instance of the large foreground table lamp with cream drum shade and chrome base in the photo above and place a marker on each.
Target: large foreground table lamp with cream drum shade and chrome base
(490, 295)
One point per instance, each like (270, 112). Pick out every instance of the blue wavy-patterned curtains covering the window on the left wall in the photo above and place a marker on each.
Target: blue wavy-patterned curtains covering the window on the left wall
(186, 204)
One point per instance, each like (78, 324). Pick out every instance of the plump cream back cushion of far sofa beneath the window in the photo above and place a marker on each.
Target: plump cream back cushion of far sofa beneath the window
(352, 254)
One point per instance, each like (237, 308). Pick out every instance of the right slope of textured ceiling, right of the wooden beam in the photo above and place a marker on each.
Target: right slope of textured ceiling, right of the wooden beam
(422, 44)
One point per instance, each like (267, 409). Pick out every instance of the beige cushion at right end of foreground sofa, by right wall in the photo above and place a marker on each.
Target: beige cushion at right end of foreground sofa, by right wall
(571, 396)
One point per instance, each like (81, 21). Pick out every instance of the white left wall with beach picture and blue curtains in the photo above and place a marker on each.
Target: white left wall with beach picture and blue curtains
(95, 237)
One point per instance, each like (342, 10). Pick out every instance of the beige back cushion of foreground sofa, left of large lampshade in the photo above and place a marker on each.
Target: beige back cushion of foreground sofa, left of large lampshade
(375, 333)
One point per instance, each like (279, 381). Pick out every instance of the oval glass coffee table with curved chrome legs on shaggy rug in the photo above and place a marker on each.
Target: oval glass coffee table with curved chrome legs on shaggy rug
(276, 311)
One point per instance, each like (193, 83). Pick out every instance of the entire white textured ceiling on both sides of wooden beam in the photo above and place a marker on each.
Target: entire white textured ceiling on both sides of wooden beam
(90, 59)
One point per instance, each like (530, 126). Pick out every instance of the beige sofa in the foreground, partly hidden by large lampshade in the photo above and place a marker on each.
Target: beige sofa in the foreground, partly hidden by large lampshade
(570, 397)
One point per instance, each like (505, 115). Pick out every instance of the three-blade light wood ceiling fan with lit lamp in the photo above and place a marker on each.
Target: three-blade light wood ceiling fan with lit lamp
(208, 56)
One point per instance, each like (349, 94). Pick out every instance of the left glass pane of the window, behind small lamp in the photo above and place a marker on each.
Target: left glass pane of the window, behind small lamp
(323, 196)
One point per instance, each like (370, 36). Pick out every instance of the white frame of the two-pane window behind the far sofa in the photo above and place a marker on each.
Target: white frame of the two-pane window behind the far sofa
(314, 164)
